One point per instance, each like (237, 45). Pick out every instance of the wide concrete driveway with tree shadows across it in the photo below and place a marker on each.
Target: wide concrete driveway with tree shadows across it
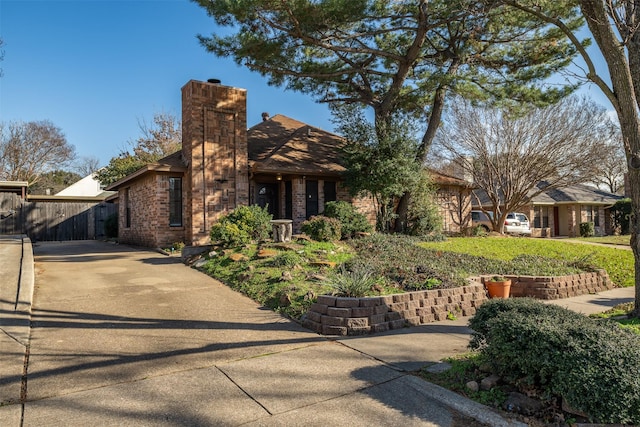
(124, 336)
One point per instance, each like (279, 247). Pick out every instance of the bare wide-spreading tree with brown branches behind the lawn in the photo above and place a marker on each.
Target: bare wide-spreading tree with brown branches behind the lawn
(514, 158)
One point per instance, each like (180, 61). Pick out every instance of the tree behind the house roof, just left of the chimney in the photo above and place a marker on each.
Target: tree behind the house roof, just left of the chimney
(156, 141)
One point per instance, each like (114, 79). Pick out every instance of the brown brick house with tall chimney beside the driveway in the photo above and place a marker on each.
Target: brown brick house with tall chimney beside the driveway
(286, 165)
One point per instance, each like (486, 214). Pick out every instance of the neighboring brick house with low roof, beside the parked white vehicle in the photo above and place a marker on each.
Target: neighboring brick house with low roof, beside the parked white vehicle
(559, 212)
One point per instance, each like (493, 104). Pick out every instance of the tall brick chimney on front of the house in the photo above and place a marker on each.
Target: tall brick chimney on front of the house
(214, 144)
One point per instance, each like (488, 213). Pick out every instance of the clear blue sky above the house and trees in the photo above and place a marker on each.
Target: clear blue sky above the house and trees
(95, 68)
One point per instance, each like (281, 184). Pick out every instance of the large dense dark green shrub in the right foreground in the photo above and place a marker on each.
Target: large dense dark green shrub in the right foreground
(593, 364)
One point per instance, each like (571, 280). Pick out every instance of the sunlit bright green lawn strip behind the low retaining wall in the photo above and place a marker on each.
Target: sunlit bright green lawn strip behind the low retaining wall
(617, 262)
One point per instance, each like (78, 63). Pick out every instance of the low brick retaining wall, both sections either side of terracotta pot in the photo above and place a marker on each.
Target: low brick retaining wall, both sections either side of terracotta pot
(332, 315)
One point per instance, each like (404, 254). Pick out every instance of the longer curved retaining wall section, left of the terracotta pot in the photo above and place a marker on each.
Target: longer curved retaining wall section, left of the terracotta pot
(357, 316)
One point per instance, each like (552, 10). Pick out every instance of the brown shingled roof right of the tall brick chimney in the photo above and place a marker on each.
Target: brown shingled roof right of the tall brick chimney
(284, 145)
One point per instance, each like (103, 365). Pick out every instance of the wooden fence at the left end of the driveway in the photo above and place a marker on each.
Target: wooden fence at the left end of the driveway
(54, 220)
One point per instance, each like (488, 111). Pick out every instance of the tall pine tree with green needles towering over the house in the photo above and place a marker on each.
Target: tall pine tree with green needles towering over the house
(396, 56)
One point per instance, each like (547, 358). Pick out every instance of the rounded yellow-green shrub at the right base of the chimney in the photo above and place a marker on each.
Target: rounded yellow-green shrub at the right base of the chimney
(242, 225)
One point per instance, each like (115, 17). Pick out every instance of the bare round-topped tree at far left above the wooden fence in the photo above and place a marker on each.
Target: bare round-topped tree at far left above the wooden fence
(30, 149)
